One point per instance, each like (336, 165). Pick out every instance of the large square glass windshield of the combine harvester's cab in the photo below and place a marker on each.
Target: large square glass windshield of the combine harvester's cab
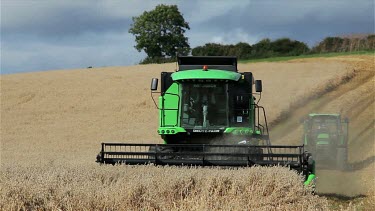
(204, 106)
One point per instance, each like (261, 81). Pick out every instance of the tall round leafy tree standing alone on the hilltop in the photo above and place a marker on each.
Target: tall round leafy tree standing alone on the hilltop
(160, 33)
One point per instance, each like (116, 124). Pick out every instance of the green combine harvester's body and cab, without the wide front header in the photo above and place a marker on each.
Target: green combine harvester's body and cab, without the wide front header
(207, 101)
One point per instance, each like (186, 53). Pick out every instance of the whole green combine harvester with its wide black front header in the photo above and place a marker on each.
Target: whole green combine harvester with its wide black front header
(209, 116)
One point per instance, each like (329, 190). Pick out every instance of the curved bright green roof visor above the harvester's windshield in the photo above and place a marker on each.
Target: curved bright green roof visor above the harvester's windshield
(209, 74)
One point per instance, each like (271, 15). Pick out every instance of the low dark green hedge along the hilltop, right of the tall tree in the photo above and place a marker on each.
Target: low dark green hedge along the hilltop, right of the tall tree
(285, 47)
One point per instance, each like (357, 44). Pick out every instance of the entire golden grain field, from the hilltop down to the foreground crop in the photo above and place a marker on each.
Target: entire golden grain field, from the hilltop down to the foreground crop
(52, 124)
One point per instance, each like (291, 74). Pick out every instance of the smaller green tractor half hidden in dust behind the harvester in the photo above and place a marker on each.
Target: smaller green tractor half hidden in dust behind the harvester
(326, 138)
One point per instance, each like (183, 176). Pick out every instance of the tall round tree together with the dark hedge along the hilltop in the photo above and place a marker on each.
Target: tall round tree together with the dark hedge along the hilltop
(160, 33)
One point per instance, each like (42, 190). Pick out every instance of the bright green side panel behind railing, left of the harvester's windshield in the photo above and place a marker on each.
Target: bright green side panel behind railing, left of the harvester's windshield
(169, 104)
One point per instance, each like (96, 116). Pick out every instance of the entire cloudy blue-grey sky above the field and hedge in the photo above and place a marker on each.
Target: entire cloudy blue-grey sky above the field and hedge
(53, 34)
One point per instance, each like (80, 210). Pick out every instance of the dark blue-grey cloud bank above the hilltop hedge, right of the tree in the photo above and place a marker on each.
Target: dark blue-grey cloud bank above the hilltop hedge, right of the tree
(305, 21)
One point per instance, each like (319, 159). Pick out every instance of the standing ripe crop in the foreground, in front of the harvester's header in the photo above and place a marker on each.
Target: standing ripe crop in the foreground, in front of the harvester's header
(93, 187)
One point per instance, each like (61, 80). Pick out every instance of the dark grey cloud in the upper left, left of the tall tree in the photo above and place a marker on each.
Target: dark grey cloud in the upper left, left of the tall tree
(48, 19)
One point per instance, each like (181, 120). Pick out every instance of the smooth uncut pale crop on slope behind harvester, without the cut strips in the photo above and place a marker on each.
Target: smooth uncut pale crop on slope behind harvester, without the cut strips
(63, 112)
